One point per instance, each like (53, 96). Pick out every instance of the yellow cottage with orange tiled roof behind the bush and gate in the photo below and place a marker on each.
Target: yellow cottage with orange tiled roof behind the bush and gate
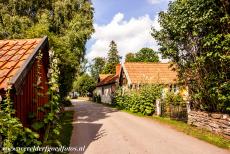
(136, 74)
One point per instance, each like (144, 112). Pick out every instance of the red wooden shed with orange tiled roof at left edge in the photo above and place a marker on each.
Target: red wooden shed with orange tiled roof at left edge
(24, 68)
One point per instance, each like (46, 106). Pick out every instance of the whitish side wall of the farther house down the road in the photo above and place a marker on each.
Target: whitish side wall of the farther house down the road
(106, 97)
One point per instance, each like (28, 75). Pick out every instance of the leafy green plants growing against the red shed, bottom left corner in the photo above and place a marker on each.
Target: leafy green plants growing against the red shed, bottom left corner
(11, 130)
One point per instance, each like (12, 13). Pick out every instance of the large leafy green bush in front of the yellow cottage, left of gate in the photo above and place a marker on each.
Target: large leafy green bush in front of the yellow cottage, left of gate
(141, 101)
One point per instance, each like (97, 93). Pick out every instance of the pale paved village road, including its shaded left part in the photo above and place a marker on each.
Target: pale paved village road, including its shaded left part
(103, 130)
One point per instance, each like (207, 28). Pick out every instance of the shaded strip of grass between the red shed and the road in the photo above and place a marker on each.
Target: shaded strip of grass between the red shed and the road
(66, 131)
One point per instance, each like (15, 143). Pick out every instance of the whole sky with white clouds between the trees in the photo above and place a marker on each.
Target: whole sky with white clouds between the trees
(127, 22)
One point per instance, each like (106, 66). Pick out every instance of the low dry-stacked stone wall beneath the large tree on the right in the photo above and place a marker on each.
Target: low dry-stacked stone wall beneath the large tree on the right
(218, 123)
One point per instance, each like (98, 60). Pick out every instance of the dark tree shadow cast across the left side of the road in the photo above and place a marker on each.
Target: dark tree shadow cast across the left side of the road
(86, 123)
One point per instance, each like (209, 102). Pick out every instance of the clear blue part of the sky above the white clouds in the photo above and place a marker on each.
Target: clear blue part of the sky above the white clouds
(106, 9)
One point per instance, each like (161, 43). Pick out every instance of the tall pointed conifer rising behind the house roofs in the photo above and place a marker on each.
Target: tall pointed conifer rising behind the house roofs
(112, 60)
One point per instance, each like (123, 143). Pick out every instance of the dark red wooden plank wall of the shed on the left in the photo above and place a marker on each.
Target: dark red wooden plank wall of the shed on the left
(28, 99)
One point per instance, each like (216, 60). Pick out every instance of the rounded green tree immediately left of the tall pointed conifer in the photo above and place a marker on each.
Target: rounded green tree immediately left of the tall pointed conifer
(97, 67)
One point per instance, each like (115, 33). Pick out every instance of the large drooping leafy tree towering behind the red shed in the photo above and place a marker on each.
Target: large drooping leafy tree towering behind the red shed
(68, 25)
